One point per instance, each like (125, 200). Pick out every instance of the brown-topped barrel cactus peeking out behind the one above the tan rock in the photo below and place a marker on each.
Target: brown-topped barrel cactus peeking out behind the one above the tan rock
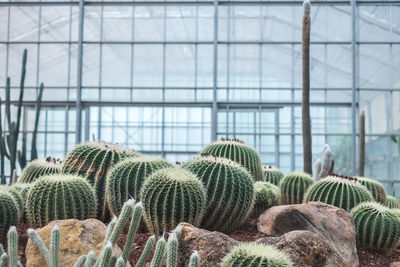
(38, 168)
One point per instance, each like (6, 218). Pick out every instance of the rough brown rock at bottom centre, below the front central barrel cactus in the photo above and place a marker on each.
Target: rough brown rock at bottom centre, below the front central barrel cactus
(212, 246)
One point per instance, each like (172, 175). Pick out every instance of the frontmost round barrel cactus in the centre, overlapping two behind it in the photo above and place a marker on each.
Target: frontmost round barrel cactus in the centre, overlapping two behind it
(171, 196)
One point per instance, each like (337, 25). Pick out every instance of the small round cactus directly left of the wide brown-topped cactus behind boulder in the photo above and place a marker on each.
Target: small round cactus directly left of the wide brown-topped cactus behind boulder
(293, 187)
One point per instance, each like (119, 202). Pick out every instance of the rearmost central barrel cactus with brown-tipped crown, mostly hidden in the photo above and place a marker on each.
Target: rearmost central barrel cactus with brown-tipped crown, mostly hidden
(238, 151)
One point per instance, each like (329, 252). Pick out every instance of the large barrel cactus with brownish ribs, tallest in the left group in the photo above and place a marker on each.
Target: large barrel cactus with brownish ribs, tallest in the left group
(93, 160)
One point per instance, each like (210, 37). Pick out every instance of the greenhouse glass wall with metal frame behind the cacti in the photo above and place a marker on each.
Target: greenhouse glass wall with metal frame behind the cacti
(168, 77)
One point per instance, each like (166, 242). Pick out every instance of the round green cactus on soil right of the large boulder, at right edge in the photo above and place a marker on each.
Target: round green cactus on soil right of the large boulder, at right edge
(378, 227)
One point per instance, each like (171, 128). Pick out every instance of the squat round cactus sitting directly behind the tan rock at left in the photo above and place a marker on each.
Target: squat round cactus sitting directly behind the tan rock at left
(58, 197)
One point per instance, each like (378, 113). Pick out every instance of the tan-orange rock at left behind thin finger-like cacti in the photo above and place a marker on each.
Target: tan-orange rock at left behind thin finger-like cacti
(76, 238)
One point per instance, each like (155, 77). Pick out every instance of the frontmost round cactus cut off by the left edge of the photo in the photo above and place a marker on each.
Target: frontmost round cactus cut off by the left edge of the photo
(8, 214)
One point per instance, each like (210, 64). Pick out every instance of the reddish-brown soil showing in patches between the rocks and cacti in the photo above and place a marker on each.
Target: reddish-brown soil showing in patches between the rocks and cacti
(247, 233)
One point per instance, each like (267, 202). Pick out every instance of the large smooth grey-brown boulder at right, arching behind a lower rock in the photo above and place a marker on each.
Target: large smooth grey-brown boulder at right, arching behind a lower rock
(330, 222)
